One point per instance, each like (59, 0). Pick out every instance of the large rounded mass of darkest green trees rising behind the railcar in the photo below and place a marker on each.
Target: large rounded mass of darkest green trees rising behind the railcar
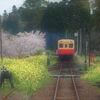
(64, 16)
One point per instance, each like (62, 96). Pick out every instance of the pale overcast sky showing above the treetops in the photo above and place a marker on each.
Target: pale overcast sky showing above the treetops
(7, 4)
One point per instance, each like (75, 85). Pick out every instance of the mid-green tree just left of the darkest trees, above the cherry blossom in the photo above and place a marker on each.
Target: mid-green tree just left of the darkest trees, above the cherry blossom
(31, 13)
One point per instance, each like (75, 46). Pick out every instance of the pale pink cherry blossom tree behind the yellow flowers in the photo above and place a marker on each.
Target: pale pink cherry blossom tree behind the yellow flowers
(23, 44)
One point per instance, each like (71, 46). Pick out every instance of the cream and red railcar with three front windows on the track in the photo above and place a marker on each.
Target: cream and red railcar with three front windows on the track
(66, 49)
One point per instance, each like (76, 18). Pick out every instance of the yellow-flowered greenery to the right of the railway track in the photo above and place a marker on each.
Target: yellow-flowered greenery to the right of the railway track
(92, 74)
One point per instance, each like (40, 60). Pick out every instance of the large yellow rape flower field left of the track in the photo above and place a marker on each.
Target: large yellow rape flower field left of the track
(29, 74)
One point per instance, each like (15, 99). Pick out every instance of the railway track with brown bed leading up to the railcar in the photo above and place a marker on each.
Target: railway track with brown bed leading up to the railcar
(66, 87)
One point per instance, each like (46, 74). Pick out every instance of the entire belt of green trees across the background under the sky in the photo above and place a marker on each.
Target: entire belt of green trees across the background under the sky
(55, 18)
